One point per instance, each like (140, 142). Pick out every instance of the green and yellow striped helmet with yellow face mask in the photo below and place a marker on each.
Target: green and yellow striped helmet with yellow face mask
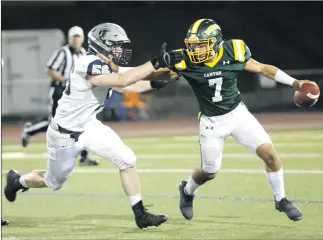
(203, 40)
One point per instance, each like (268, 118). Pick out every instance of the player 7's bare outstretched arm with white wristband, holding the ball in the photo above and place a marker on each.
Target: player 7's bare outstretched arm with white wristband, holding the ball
(273, 72)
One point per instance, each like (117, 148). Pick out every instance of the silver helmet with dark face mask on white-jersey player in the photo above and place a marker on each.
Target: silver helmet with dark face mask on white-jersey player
(110, 40)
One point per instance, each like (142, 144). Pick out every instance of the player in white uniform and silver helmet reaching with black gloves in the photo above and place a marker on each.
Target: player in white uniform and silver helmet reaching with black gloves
(75, 126)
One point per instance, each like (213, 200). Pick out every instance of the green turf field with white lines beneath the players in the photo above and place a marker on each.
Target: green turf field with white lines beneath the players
(236, 205)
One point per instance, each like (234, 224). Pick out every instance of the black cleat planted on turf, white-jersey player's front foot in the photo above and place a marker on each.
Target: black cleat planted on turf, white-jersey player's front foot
(145, 219)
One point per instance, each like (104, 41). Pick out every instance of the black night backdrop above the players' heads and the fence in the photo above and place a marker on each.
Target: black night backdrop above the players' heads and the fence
(287, 34)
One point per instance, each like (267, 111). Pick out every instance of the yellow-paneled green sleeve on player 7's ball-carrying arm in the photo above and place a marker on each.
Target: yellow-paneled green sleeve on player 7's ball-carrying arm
(239, 52)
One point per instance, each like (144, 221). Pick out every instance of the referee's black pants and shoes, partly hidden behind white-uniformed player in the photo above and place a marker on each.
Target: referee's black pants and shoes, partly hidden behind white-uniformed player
(55, 93)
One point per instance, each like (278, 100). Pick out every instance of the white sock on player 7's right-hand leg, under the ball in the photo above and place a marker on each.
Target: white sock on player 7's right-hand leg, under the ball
(276, 180)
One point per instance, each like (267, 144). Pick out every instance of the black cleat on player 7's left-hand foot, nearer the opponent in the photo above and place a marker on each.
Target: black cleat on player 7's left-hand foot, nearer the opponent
(186, 201)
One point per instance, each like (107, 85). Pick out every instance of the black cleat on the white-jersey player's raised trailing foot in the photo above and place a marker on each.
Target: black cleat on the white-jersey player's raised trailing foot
(13, 186)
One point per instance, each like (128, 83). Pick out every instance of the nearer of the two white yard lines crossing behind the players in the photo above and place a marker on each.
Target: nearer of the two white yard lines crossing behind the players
(179, 170)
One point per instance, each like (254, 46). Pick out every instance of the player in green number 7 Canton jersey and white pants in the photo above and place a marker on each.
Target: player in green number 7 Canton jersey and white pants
(210, 66)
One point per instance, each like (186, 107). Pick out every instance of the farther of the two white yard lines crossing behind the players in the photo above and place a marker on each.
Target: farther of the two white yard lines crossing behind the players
(23, 156)
